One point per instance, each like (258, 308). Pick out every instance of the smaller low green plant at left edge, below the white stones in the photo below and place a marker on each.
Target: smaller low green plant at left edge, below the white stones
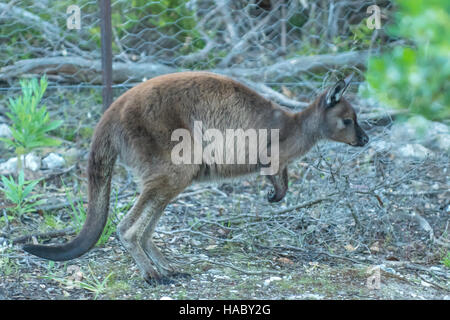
(20, 194)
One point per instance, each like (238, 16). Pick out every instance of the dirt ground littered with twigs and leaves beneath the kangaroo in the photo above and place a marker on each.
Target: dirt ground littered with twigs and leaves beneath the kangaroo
(367, 223)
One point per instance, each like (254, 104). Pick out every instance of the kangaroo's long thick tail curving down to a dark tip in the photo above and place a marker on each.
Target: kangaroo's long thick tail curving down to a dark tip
(100, 167)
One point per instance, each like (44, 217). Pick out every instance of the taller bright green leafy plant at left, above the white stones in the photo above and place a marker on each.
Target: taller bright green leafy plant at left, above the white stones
(30, 123)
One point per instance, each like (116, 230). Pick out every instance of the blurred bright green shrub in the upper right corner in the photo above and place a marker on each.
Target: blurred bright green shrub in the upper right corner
(416, 76)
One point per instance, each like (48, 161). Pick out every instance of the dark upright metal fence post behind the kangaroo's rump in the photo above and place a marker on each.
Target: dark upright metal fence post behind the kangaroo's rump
(106, 39)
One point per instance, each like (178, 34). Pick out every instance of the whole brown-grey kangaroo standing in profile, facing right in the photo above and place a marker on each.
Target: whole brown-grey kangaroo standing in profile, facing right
(138, 128)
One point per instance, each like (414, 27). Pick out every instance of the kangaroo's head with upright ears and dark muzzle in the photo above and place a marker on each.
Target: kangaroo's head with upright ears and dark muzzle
(339, 121)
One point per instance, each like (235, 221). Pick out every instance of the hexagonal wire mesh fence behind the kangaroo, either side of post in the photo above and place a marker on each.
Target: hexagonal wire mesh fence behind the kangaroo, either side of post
(286, 50)
